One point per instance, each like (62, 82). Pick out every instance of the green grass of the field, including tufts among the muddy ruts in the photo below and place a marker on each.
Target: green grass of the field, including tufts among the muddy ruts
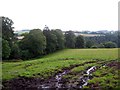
(50, 64)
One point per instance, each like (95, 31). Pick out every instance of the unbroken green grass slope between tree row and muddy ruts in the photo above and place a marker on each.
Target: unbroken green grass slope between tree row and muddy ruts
(50, 64)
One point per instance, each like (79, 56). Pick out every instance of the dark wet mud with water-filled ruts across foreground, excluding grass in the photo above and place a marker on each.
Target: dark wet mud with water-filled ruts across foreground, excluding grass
(57, 81)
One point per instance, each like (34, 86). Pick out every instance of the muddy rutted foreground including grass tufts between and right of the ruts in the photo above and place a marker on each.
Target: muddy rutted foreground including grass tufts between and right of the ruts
(74, 77)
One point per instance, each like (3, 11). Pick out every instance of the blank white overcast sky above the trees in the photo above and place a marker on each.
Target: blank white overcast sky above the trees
(62, 14)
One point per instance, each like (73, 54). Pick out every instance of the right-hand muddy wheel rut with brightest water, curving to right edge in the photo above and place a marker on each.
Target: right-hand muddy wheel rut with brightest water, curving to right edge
(83, 80)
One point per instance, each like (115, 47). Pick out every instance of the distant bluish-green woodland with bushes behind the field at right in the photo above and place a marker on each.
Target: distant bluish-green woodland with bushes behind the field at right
(108, 40)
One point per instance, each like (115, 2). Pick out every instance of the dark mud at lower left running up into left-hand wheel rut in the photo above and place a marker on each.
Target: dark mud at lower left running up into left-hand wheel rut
(55, 81)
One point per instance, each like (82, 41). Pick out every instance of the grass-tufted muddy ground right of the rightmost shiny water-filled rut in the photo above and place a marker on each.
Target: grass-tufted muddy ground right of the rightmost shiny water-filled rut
(106, 77)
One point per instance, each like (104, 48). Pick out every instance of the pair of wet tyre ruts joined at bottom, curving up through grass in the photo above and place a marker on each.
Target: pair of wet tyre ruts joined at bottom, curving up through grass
(59, 82)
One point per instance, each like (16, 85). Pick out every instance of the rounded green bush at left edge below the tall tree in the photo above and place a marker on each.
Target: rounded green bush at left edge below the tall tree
(5, 49)
